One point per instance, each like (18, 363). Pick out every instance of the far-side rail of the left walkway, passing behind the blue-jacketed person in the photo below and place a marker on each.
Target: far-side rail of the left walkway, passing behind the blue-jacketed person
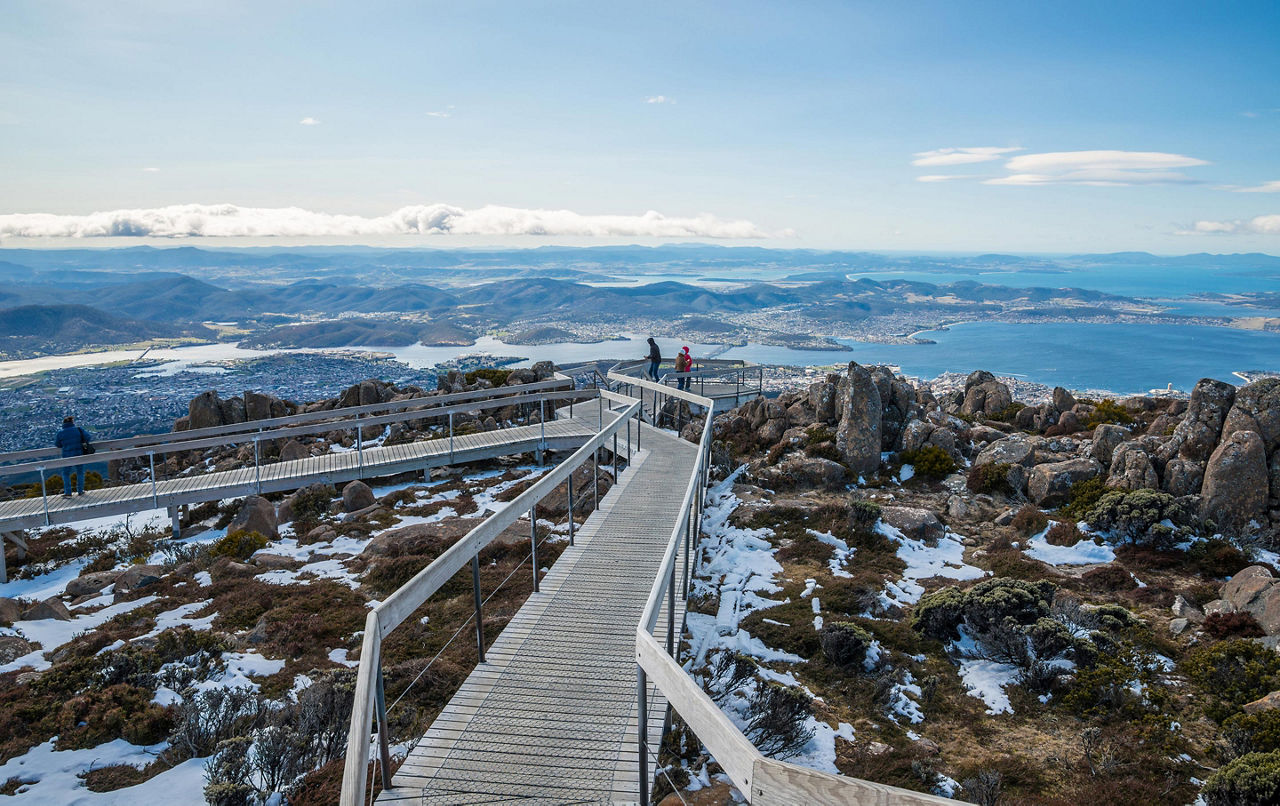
(157, 441)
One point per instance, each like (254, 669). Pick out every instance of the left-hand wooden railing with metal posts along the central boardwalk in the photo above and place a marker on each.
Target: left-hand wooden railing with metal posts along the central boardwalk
(369, 708)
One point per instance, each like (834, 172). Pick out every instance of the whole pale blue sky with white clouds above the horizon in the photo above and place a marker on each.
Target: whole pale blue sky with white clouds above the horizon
(858, 126)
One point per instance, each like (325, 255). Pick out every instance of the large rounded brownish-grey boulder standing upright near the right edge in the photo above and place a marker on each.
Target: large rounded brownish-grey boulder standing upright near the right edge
(1236, 487)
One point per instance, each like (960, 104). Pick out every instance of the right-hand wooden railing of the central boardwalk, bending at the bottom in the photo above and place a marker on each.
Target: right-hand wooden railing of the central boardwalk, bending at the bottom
(761, 780)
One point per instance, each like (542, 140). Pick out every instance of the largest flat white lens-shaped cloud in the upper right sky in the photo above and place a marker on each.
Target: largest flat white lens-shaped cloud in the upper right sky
(1098, 168)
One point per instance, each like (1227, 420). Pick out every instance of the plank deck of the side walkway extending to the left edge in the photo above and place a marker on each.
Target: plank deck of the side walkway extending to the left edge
(335, 468)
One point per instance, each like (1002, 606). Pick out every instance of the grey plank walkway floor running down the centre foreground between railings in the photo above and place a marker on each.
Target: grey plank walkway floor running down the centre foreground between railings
(551, 717)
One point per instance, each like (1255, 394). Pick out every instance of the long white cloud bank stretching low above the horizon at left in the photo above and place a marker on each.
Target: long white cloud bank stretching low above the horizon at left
(235, 222)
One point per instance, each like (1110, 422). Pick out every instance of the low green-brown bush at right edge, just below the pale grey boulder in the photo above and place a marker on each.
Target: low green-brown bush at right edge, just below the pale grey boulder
(1233, 674)
